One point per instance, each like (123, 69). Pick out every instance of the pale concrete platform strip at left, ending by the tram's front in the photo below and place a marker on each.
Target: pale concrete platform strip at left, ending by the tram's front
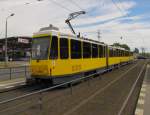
(11, 84)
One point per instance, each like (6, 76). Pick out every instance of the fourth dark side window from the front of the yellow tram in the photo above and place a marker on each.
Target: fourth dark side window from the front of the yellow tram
(86, 50)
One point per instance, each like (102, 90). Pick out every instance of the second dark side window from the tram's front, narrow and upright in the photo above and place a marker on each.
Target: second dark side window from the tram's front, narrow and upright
(64, 53)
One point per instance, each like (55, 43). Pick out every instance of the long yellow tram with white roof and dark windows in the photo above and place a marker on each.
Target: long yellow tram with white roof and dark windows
(59, 57)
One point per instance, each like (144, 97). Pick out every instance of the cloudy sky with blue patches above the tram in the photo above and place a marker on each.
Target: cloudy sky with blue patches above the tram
(115, 19)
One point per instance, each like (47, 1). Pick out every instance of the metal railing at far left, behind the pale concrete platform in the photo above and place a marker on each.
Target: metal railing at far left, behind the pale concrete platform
(14, 72)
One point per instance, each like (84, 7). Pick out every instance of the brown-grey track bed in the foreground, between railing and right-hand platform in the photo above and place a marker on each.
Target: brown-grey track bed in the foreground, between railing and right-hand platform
(62, 102)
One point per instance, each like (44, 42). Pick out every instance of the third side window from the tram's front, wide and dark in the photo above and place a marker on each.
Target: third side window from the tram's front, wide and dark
(75, 49)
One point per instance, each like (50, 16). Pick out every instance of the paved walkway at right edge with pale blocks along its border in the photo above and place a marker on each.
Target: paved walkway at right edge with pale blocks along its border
(143, 105)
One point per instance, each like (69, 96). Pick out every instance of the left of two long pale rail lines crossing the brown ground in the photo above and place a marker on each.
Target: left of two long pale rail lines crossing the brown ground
(96, 93)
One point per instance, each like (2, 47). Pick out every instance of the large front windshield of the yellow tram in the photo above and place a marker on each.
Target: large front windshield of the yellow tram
(40, 48)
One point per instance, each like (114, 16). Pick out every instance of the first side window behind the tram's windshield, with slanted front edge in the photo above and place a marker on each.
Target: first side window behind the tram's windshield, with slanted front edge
(54, 48)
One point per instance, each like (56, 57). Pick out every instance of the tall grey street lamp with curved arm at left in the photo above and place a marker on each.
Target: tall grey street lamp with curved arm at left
(6, 56)
